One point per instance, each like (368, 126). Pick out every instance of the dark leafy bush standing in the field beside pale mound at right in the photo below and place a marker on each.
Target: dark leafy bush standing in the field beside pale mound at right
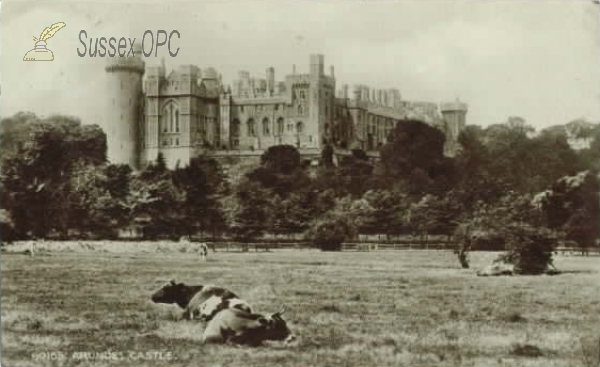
(529, 249)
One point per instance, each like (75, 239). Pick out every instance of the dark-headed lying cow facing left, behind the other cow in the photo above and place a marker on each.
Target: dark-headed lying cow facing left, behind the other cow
(193, 299)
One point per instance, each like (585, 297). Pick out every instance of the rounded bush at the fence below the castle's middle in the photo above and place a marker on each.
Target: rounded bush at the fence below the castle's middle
(329, 233)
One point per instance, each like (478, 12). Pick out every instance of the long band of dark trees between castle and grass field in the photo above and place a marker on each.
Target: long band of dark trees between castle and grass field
(56, 182)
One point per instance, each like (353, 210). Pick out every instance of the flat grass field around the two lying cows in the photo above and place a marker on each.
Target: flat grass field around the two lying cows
(386, 308)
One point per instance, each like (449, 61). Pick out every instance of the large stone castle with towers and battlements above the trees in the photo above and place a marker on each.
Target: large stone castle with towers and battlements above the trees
(189, 112)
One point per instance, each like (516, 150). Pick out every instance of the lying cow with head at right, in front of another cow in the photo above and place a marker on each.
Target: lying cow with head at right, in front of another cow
(245, 328)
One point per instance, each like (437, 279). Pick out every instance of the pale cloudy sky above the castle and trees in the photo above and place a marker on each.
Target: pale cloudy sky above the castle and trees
(535, 59)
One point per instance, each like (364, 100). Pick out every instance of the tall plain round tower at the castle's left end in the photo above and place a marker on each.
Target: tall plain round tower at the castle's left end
(124, 90)
